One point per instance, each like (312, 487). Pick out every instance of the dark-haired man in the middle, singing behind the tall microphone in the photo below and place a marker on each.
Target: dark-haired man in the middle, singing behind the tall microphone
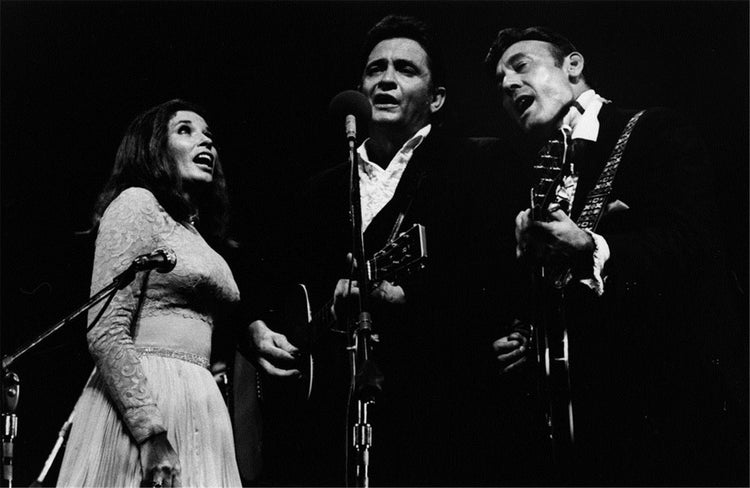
(410, 170)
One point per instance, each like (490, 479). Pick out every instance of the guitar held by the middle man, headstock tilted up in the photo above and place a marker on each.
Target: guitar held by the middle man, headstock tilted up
(396, 261)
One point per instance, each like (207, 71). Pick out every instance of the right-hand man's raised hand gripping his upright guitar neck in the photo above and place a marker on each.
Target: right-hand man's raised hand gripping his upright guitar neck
(559, 240)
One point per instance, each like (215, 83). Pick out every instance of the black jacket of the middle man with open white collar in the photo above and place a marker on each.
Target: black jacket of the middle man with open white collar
(430, 348)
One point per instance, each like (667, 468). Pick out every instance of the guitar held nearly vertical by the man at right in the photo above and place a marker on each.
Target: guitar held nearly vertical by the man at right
(549, 328)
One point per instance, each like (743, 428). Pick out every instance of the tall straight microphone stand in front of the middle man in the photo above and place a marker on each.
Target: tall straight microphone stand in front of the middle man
(367, 377)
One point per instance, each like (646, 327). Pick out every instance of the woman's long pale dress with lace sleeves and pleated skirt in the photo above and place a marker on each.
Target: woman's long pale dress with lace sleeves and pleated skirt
(151, 370)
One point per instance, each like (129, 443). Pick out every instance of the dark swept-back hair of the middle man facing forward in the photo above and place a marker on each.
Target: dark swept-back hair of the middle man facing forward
(393, 26)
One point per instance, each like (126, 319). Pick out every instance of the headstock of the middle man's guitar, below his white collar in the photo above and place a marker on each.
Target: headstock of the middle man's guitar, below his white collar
(400, 258)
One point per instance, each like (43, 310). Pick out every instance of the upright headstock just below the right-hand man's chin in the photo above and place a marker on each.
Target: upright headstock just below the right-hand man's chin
(549, 168)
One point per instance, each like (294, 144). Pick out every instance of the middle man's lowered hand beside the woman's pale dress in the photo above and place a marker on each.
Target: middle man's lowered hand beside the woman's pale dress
(273, 352)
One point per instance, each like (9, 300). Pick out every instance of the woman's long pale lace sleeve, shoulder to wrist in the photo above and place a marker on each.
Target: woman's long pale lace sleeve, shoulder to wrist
(129, 227)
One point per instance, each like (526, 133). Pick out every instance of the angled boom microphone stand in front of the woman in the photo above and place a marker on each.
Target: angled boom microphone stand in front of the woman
(11, 382)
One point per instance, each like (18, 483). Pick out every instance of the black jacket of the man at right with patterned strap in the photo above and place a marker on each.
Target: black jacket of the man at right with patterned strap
(652, 356)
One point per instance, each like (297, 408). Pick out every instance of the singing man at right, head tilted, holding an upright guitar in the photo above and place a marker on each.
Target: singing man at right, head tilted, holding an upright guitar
(648, 334)
